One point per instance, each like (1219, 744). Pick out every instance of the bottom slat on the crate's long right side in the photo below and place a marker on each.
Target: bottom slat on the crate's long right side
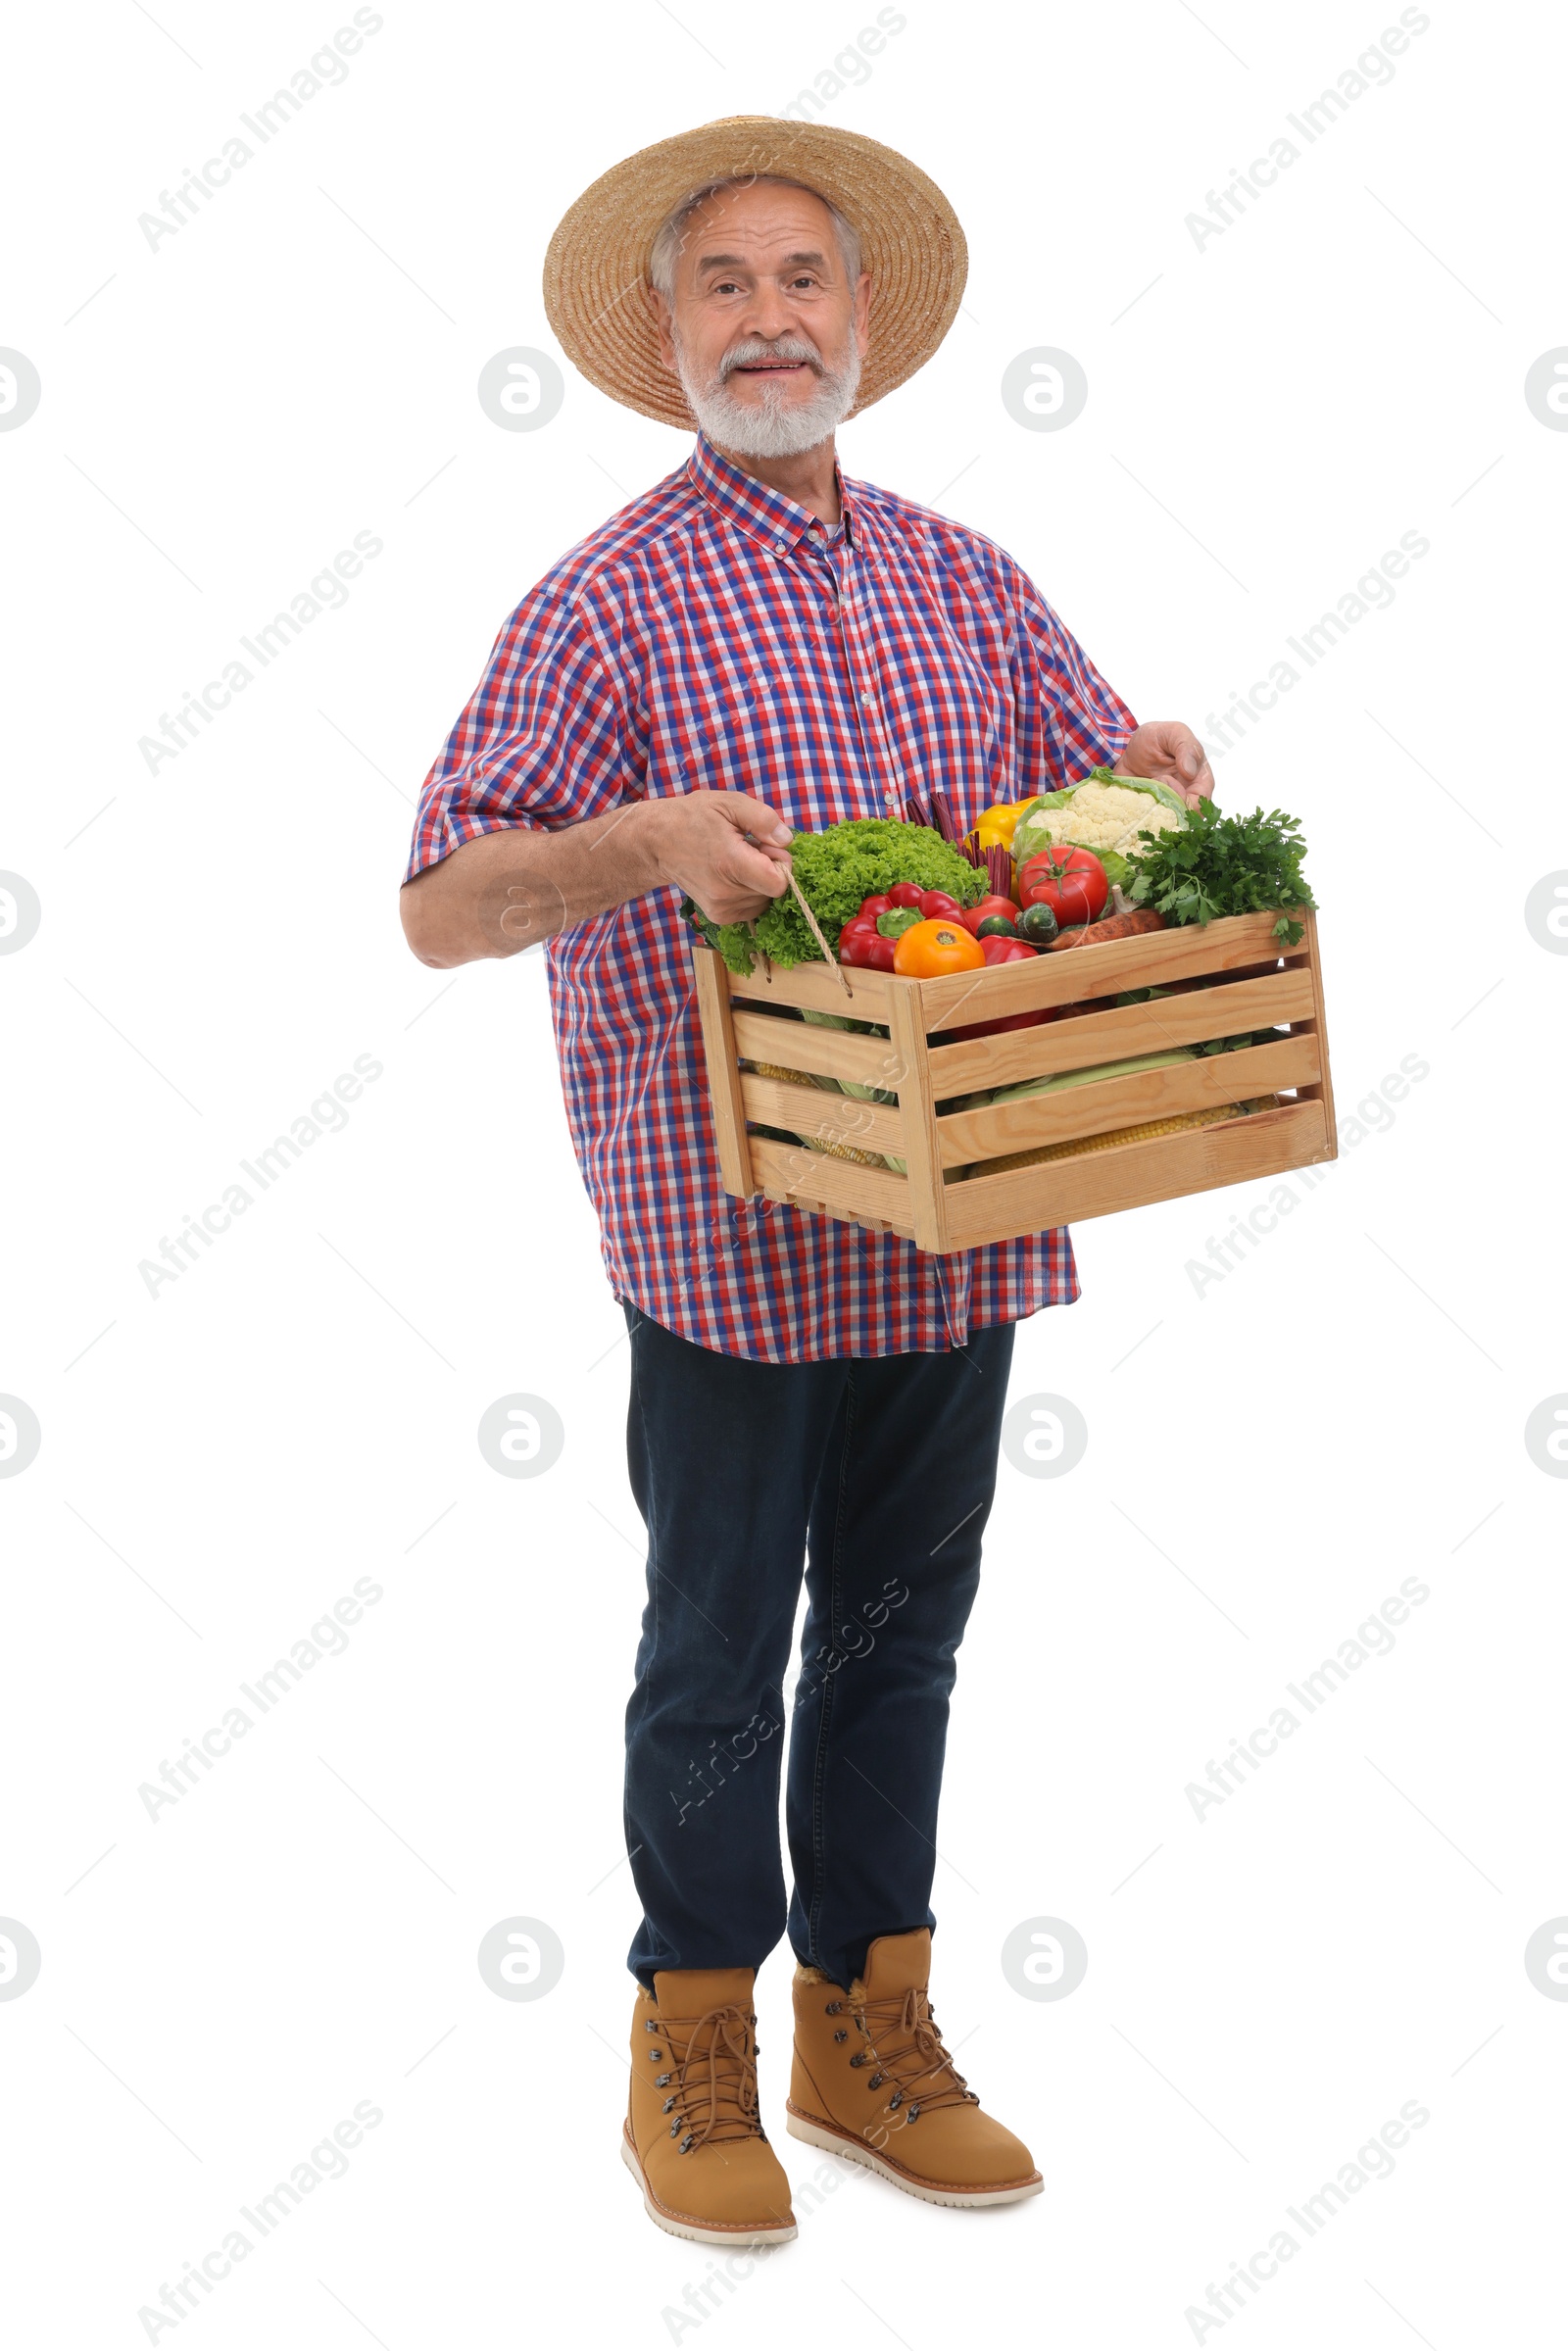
(1167, 1167)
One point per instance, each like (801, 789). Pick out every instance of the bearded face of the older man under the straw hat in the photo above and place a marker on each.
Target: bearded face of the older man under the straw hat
(765, 330)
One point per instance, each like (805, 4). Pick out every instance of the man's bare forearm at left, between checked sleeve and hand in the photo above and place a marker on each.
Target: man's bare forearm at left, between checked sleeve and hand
(509, 890)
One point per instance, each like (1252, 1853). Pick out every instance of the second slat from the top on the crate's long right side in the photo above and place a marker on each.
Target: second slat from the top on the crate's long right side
(1123, 1033)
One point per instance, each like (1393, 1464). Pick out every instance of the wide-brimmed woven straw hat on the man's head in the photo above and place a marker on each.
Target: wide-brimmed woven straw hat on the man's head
(598, 262)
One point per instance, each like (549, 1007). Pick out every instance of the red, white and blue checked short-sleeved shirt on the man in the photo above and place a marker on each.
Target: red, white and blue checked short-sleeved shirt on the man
(711, 638)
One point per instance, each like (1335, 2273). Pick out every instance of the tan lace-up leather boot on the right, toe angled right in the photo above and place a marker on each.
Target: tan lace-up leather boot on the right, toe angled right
(876, 2084)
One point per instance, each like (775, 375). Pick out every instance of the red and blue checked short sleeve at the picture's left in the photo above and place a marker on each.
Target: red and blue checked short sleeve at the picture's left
(540, 744)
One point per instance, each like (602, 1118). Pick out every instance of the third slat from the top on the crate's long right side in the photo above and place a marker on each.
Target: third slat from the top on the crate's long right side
(1127, 1101)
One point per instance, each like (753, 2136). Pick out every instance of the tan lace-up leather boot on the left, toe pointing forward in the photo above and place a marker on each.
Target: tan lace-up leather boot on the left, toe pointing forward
(692, 2134)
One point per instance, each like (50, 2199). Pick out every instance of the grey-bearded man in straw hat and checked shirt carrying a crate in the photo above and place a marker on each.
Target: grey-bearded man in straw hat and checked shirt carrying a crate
(760, 645)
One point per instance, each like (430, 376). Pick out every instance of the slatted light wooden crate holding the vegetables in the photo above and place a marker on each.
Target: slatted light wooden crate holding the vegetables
(1257, 986)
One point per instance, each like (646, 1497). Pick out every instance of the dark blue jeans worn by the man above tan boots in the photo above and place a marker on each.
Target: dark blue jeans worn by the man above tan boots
(876, 1475)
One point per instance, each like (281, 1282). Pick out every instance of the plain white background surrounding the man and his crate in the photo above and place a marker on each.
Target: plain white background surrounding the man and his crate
(222, 1461)
